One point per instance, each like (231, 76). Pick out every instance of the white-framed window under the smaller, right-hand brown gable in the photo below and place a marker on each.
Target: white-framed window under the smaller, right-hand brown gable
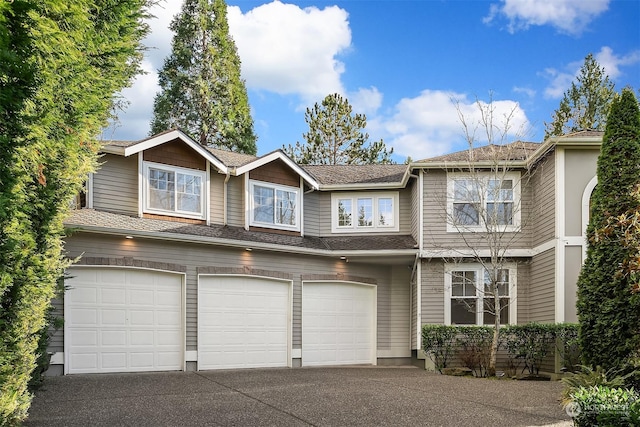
(274, 206)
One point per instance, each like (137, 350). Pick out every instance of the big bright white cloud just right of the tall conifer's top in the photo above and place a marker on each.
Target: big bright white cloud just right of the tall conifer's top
(289, 50)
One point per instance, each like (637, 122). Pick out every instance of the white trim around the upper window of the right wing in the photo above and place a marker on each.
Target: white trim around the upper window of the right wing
(515, 177)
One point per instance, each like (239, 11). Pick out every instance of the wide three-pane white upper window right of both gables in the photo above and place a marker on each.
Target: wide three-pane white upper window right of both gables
(364, 212)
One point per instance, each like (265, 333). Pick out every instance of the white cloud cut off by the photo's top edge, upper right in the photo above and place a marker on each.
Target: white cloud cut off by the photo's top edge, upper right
(567, 16)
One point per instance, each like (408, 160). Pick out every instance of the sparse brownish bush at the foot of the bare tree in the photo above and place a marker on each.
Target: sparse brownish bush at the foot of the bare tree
(474, 348)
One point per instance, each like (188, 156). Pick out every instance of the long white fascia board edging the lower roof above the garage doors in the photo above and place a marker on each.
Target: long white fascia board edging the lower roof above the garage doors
(241, 244)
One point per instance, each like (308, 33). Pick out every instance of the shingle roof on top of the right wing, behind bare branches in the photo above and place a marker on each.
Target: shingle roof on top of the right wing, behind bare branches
(518, 150)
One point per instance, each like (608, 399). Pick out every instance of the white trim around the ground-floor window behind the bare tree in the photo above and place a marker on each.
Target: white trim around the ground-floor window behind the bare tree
(479, 269)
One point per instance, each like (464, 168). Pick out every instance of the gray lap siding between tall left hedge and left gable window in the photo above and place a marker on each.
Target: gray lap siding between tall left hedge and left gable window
(115, 185)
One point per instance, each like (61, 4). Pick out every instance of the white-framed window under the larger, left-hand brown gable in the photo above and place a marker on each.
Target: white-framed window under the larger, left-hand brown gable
(170, 190)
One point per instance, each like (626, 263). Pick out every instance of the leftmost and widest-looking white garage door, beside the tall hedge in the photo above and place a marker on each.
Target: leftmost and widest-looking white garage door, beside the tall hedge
(123, 320)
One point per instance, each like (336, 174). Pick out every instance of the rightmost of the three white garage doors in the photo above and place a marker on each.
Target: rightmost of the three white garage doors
(338, 324)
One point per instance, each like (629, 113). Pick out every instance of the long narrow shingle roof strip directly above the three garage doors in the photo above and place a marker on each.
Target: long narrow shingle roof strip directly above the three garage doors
(106, 220)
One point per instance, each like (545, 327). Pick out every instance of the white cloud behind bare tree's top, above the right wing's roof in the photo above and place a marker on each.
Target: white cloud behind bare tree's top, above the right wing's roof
(429, 124)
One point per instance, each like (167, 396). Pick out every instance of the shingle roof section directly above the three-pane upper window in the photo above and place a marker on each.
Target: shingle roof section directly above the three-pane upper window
(356, 174)
